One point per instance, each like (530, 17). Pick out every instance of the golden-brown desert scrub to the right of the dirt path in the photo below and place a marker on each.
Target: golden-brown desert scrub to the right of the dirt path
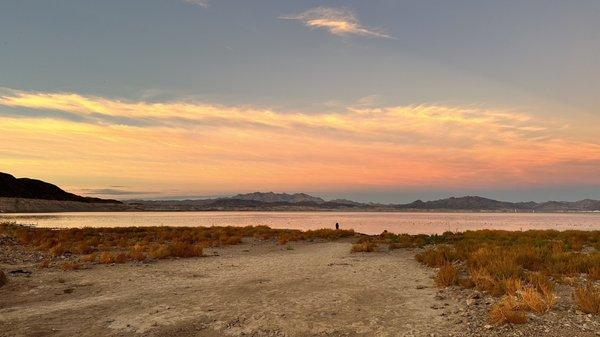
(521, 269)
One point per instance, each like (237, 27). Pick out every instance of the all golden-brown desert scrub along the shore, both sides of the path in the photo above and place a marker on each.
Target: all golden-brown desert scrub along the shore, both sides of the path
(520, 269)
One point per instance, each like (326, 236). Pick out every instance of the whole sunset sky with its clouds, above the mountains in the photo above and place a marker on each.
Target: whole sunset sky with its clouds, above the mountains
(382, 100)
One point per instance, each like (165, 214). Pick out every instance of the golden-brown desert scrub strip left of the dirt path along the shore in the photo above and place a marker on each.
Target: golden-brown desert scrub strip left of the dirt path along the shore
(120, 245)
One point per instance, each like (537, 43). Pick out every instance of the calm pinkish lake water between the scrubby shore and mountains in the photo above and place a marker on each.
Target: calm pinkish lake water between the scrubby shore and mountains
(364, 222)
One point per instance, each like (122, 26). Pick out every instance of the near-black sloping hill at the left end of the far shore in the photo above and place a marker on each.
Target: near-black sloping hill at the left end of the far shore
(11, 187)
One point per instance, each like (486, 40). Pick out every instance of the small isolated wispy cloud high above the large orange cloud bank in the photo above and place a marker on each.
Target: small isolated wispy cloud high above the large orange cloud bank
(338, 21)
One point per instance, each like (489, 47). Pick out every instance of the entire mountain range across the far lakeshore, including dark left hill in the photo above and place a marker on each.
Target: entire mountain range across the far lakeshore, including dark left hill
(16, 189)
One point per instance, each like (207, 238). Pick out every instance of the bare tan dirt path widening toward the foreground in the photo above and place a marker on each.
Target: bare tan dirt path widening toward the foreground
(248, 290)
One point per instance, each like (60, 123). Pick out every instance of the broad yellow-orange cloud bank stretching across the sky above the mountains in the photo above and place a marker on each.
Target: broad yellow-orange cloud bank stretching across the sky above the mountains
(190, 147)
